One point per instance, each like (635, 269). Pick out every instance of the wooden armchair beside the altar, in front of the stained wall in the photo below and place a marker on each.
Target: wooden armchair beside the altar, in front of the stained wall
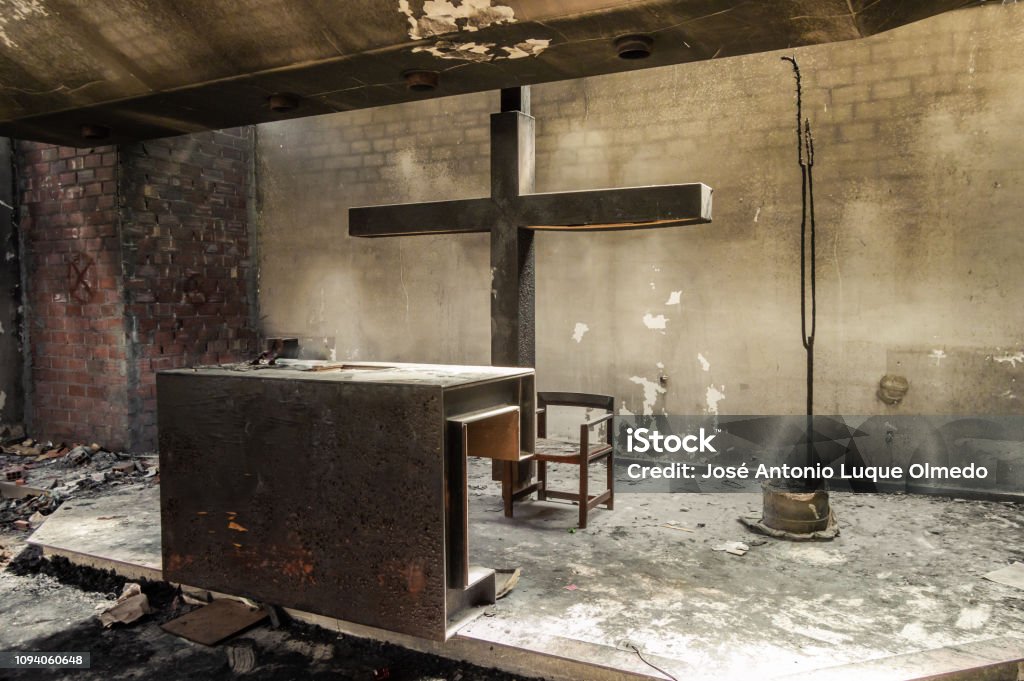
(582, 453)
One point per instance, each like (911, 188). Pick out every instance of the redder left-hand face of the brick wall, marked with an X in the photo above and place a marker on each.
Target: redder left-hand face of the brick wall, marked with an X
(69, 224)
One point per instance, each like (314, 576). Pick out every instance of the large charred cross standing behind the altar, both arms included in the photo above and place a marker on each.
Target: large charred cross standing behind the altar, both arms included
(515, 212)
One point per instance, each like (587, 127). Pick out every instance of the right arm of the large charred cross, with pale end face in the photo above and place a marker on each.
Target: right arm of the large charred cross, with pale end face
(630, 208)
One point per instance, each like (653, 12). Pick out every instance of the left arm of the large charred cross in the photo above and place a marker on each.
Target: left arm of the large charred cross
(437, 218)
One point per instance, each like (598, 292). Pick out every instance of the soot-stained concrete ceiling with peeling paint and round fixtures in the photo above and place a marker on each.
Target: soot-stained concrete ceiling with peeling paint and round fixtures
(143, 69)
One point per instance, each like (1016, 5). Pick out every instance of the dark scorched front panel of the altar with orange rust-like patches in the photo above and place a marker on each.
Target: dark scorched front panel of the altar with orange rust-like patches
(325, 497)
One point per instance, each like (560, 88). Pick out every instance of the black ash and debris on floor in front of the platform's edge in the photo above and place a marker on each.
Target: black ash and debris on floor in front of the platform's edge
(45, 614)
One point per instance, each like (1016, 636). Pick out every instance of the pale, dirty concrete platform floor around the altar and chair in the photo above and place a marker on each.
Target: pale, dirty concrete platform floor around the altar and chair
(905, 577)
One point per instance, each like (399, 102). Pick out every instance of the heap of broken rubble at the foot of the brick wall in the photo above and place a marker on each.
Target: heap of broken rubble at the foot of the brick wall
(37, 478)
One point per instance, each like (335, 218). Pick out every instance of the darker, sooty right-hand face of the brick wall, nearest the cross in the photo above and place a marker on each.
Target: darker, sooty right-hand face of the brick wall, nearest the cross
(186, 254)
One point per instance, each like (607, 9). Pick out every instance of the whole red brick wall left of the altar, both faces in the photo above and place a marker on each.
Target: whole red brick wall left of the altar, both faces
(137, 261)
